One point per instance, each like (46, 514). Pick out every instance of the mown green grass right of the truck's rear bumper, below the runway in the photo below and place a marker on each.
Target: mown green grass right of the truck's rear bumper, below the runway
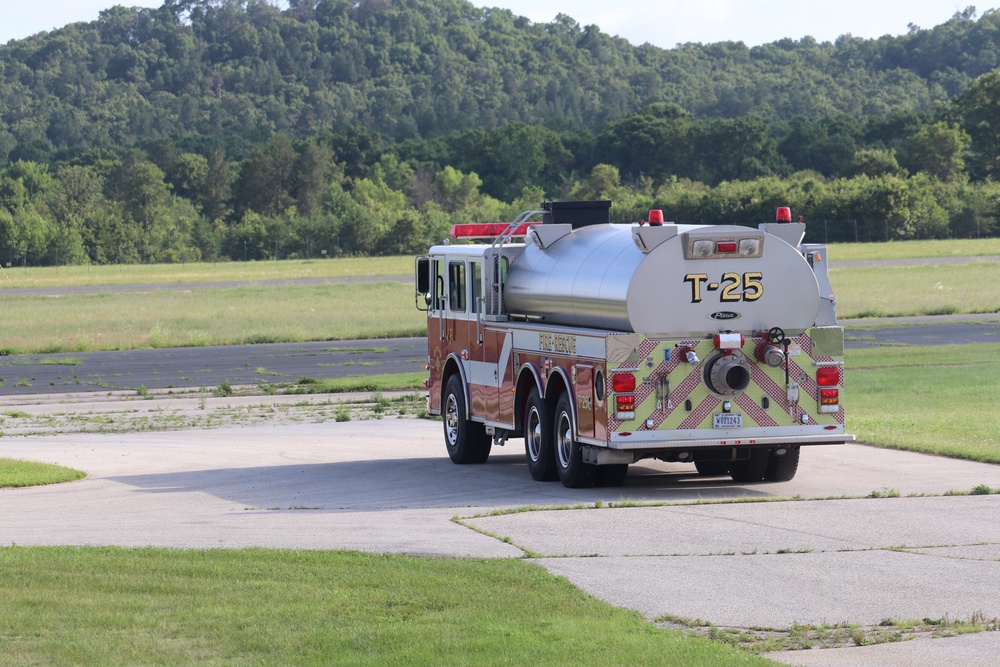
(938, 399)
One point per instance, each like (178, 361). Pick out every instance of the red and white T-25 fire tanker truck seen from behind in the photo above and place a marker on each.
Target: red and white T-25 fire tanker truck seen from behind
(605, 344)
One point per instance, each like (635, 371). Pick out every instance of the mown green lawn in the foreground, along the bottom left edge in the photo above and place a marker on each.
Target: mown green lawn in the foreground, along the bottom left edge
(111, 606)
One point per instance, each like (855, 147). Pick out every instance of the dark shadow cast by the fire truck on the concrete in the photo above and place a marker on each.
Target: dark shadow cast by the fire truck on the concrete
(416, 483)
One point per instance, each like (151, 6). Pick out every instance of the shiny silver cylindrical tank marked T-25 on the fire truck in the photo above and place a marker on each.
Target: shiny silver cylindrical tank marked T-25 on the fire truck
(597, 276)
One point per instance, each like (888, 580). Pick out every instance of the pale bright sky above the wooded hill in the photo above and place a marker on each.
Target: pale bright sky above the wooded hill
(664, 23)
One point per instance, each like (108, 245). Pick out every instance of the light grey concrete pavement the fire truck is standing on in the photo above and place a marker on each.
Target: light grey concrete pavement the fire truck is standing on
(387, 486)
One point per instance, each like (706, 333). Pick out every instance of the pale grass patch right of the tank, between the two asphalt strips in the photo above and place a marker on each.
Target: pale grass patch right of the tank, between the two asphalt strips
(942, 289)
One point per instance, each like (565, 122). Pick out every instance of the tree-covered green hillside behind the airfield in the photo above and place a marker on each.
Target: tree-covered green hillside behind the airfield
(230, 128)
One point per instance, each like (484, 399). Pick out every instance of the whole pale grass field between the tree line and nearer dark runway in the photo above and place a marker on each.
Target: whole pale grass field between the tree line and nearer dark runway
(292, 313)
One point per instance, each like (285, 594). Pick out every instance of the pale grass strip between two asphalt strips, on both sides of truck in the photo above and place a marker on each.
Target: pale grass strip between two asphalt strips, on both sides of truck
(117, 321)
